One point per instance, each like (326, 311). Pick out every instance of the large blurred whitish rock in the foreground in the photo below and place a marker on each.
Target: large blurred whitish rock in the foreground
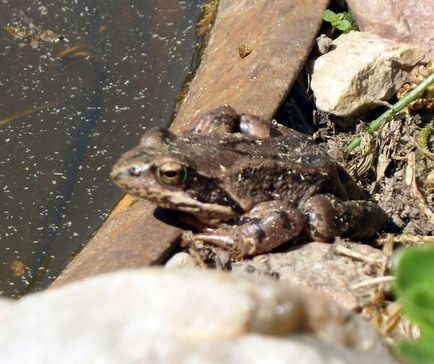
(162, 316)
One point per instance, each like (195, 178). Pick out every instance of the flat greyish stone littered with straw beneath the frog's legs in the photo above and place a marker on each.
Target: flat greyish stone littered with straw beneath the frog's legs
(330, 269)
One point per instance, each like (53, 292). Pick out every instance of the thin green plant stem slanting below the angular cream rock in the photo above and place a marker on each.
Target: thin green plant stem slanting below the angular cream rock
(401, 104)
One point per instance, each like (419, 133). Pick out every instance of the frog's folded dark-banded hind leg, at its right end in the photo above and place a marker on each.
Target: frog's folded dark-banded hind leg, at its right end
(329, 217)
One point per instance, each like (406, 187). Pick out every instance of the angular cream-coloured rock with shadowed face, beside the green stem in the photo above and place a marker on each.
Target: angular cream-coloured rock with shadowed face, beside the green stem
(360, 71)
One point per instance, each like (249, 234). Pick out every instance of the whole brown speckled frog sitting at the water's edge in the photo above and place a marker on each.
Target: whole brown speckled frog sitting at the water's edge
(253, 184)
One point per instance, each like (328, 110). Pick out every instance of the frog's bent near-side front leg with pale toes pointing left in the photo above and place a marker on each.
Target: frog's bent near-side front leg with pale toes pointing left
(266, 226)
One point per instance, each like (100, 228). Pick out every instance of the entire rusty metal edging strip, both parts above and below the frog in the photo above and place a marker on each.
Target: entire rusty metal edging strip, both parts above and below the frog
(280, 34)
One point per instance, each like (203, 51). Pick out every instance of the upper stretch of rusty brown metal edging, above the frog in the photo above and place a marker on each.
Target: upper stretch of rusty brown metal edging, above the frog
(280, 34)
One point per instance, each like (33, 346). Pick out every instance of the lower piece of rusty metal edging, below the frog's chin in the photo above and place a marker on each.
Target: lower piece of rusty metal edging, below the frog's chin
(132, 238)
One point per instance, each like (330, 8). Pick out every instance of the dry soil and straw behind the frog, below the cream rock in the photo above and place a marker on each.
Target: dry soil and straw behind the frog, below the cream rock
(395, 166)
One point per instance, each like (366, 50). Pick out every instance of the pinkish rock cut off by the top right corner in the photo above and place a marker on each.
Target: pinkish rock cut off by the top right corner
(408, 21)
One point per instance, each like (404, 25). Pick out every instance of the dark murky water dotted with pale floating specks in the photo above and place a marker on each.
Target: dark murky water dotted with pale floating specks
(69, 109)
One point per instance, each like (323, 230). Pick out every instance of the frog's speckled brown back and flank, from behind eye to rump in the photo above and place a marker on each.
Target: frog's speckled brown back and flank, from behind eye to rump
(287, 167)
